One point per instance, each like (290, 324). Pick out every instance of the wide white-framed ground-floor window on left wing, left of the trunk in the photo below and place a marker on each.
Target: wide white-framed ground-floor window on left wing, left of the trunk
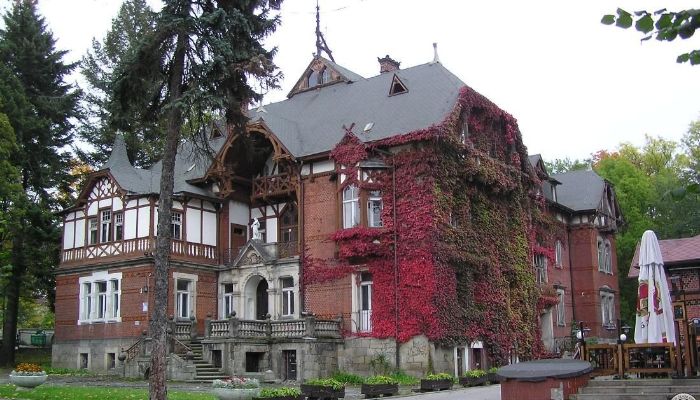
(95, 306)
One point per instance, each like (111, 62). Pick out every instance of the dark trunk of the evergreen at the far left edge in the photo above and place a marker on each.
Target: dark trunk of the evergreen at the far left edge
(12, 293)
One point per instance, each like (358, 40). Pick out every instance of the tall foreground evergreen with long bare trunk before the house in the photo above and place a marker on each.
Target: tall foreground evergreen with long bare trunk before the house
(196, 61)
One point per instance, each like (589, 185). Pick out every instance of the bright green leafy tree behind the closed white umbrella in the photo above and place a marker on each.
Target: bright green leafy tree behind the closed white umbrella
(643, 177)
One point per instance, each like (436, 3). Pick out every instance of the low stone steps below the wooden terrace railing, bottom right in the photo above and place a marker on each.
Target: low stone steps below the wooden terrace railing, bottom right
(638, 389)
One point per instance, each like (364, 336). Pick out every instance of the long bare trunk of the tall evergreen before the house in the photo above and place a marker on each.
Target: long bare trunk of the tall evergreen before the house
(159, 322)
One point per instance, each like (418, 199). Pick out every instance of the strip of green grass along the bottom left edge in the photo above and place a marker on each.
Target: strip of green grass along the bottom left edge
(96, 393)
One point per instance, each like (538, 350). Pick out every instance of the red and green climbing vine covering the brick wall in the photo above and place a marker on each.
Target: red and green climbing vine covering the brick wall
(469, 220)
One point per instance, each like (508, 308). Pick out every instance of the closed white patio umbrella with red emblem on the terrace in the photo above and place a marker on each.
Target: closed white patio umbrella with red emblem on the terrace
(654, 311)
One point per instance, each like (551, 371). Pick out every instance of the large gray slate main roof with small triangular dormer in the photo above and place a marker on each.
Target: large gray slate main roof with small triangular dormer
(311, 122)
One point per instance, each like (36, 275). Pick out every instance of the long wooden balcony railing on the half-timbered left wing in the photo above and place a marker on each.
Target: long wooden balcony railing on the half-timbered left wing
(140, 247)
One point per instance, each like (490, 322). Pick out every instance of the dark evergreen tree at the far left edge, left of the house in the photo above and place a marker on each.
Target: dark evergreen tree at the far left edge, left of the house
(39, 107)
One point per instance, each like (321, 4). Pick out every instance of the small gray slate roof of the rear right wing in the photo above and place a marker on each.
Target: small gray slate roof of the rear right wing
(580, 190)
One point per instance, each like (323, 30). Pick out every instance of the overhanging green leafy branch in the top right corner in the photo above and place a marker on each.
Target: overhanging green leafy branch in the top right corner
(663, 25)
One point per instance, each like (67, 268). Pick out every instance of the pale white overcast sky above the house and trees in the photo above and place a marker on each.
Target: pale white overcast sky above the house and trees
(574, 85)
